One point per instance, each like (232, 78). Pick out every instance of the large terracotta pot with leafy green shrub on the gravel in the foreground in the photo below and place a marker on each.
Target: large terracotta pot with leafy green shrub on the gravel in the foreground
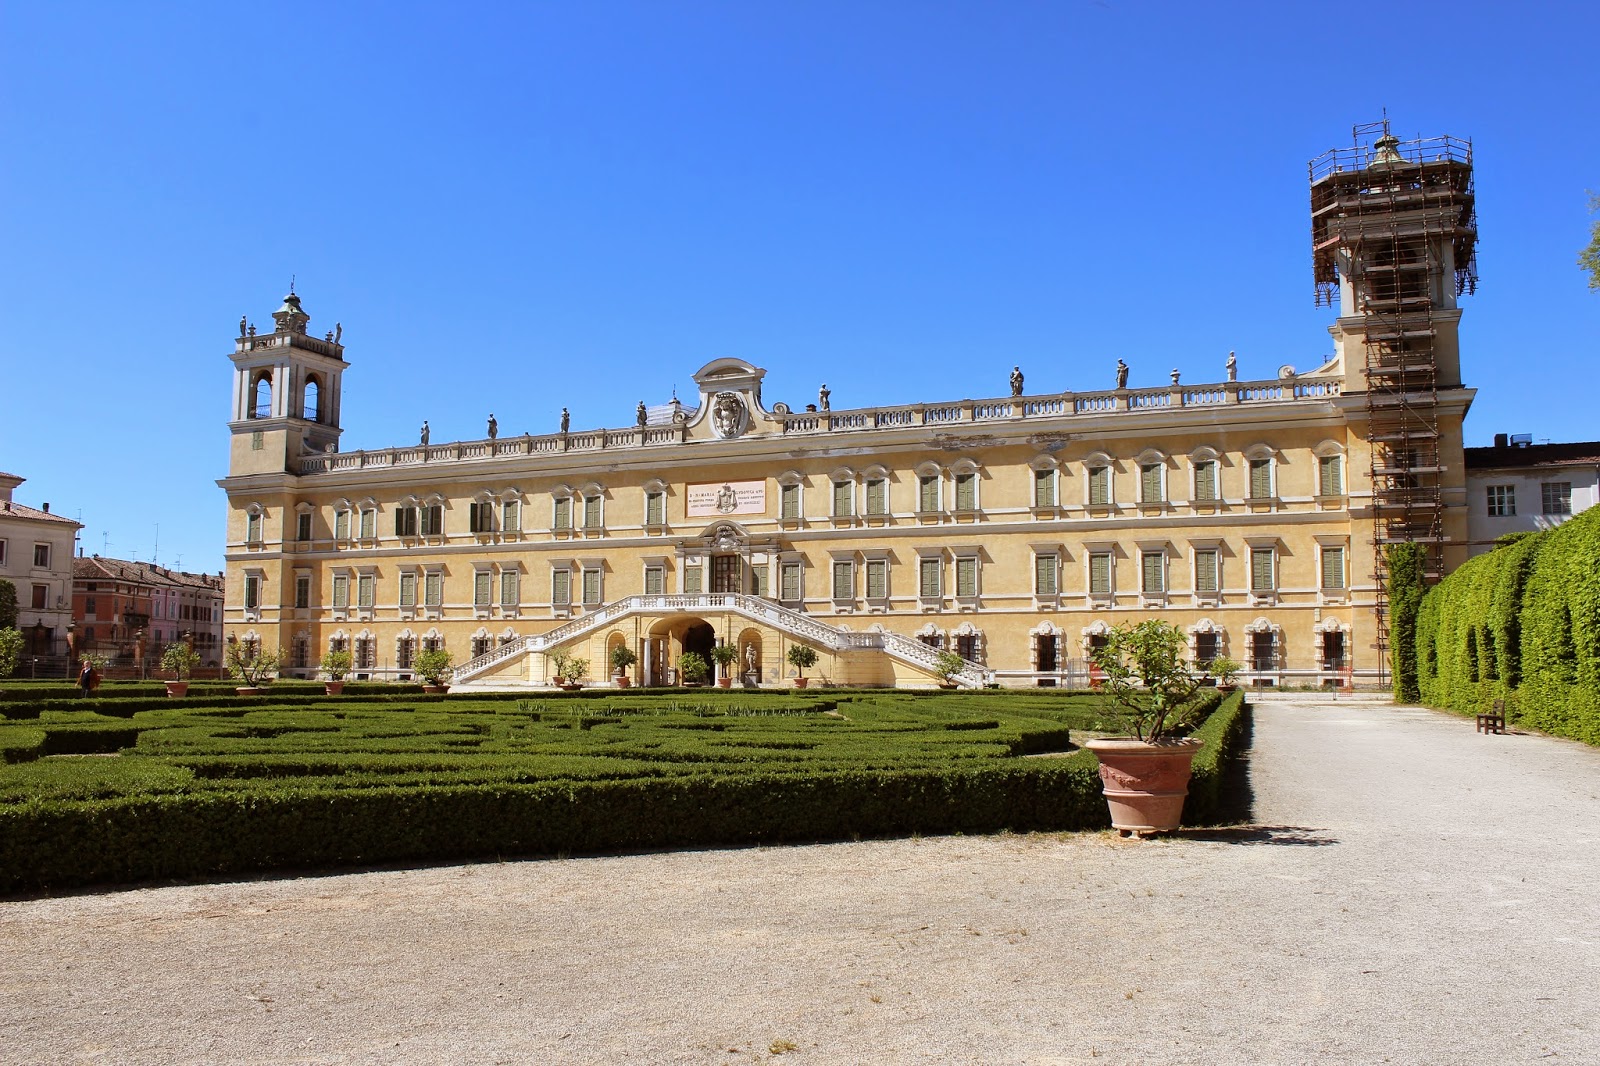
(1146, 777)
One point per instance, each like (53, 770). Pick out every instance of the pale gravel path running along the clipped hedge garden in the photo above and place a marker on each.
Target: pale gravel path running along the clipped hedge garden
(1457, 924)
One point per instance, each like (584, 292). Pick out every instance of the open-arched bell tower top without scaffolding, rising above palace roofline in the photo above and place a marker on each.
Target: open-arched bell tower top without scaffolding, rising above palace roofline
(287, 388)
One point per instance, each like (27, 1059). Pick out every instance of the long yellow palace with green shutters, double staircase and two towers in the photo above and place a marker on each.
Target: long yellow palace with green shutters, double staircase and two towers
(1014, 531)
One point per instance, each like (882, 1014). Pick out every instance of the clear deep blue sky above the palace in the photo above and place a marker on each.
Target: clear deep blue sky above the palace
(521, 207)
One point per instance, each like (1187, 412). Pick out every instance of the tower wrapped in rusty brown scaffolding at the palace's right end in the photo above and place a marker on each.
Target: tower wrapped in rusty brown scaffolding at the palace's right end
(1394, 236)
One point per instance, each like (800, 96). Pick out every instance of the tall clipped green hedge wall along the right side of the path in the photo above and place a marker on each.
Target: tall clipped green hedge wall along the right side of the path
(1521, 625)
